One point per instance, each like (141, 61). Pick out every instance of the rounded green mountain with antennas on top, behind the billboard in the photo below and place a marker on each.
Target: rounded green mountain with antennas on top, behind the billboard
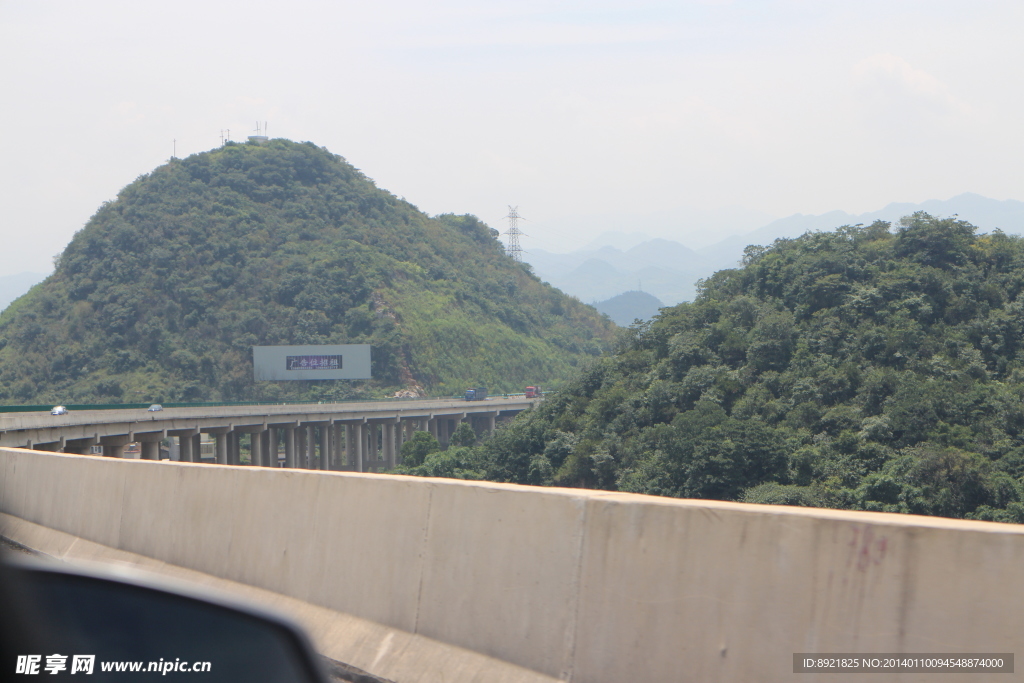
(163, 293)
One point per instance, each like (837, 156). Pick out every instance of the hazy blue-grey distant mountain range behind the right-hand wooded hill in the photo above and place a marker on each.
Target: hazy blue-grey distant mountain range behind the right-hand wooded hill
(669, 270)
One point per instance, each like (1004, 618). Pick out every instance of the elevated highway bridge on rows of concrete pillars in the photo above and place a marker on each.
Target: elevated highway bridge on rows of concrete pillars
(343, 437)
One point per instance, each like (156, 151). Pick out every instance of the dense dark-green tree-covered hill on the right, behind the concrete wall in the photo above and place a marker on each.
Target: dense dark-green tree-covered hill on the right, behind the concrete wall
(865, 369)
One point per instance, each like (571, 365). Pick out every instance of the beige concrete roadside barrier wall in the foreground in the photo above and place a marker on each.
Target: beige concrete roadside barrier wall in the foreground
(586, 586)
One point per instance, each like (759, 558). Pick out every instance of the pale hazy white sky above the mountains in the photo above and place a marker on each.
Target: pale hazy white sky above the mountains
(589, 115)
